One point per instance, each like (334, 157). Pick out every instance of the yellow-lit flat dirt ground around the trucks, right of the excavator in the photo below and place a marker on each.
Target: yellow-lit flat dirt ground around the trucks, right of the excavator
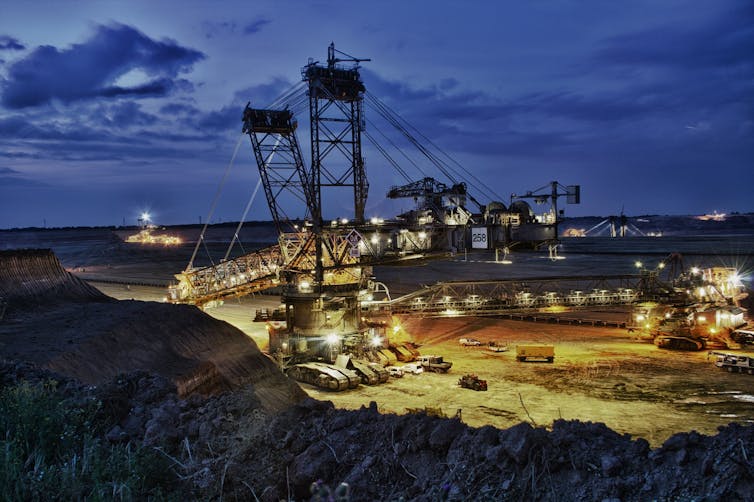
(599, 375)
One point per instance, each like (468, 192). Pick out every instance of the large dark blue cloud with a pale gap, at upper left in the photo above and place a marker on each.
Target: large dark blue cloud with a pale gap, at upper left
(90, 69)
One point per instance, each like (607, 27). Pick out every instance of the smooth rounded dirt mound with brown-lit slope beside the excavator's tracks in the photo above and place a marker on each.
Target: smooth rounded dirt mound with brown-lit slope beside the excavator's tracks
(196, 351)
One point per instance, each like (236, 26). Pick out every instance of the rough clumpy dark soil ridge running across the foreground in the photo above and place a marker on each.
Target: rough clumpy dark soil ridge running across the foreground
(228, 446)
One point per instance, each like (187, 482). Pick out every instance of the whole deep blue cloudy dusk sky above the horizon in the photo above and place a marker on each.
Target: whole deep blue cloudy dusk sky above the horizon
(111, 108)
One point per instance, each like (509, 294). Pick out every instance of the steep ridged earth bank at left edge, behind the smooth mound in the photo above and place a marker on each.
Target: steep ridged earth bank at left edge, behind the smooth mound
(31, 278)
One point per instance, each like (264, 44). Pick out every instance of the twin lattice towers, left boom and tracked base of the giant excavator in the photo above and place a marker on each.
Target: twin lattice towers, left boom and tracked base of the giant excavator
(321, 269)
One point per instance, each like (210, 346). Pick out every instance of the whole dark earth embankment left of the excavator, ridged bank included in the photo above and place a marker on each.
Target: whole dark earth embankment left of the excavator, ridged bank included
(61, 323)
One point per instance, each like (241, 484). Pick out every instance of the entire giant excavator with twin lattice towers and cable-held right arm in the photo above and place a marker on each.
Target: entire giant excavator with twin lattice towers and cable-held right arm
(322, 269)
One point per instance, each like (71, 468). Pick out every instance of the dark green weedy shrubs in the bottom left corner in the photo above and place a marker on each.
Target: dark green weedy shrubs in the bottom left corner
(54, 448)
